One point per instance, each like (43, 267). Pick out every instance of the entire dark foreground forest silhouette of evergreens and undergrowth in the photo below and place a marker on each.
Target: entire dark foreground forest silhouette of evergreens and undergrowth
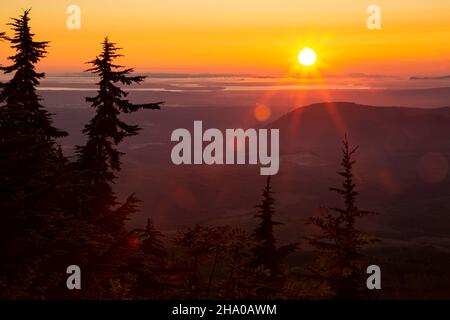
(55, 212)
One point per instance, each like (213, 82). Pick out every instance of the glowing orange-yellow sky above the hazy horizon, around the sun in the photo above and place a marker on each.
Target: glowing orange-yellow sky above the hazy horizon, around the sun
(245, 36)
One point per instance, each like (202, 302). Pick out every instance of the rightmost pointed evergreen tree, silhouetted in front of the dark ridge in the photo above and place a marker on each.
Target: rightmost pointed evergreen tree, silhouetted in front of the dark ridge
(339, 243)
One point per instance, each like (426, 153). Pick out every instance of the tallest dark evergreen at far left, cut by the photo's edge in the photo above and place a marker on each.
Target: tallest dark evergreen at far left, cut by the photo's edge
(31, 165)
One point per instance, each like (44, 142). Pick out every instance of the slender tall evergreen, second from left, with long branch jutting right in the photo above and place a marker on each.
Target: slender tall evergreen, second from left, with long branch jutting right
(99, 161)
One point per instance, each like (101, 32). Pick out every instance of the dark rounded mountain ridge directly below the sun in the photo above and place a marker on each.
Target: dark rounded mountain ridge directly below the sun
(320, 127)
